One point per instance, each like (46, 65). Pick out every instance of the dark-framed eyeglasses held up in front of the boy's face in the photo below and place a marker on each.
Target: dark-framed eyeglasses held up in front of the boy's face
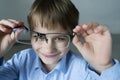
(58, 40)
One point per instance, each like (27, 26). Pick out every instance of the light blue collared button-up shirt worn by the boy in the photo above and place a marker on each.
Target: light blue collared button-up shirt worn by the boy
(26, 65)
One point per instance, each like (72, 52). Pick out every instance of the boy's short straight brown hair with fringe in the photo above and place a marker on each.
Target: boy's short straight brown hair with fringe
(49, 13)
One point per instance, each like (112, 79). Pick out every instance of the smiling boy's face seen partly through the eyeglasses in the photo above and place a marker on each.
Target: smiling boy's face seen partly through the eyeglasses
(51, 47)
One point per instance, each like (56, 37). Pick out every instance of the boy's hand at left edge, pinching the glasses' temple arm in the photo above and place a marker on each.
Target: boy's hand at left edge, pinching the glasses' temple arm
(7, 36)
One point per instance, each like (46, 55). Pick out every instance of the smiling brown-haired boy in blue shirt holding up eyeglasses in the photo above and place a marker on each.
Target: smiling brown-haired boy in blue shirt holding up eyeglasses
(52, 28)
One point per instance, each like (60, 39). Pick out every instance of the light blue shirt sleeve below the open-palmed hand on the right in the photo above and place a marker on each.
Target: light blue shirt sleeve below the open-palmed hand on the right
(112, 73)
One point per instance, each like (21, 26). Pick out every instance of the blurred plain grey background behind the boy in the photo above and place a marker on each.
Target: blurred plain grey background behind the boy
(106, 12)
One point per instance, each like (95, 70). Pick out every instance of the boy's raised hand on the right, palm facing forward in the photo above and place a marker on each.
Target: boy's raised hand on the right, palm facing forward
(96, 48)
